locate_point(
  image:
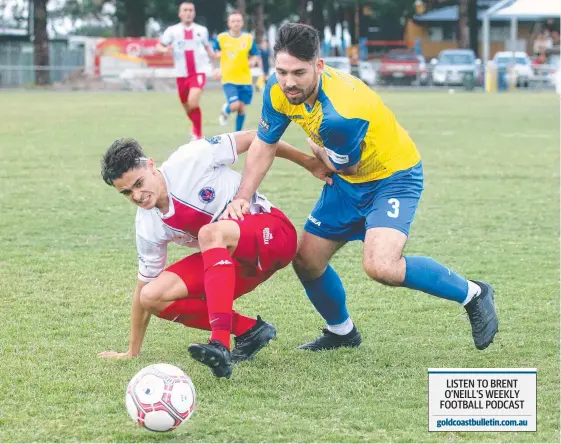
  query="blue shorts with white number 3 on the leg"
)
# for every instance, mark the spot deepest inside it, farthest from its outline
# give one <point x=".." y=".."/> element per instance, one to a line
<point x="345" y="210"/>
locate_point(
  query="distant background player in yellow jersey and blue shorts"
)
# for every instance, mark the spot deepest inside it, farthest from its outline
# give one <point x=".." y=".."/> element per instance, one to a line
<point x="238" y="52"/>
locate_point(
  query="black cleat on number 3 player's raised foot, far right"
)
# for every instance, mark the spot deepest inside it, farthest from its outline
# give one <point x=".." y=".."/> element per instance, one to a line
<point x="483" y="316"/>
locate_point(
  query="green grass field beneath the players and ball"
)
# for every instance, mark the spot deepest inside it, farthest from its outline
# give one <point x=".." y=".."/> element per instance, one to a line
<point x="490" y="210"/>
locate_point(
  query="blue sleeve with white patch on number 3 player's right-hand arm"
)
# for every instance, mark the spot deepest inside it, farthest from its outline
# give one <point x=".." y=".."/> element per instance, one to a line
<point x="342" y="139"/>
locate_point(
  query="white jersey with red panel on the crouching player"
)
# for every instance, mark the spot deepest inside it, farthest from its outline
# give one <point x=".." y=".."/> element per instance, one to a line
<point x="200" y="185"/>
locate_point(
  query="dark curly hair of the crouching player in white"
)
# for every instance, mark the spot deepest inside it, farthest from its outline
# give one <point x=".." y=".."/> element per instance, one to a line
<point x="121" y="156"/>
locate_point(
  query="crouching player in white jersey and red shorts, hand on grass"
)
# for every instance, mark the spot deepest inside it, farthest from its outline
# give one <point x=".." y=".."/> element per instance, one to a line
<point x="180" y="202"/>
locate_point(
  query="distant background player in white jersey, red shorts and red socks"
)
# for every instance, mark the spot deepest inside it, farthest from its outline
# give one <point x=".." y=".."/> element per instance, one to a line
<point x="192" y="56"/>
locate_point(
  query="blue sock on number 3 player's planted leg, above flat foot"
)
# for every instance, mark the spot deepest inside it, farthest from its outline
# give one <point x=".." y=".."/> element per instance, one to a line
<point x="328" y="296"/>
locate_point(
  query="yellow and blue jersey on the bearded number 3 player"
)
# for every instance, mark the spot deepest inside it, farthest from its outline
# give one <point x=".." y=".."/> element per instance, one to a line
<point x="349" y="120"/>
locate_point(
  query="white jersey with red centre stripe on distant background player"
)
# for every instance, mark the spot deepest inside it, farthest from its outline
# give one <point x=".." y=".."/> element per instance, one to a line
<point x="189" y="48"/>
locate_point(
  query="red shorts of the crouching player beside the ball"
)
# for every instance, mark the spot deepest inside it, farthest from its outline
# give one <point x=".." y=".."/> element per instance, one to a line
<point x="267" y="243"/>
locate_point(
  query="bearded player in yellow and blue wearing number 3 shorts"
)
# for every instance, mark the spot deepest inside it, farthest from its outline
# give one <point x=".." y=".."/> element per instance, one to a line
<point x="377" y="184"/>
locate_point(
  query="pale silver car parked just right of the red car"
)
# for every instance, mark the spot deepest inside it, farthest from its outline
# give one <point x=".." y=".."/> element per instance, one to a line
<point x="453" y="65"/>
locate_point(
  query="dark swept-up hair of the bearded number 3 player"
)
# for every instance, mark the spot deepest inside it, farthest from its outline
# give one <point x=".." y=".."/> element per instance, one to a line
<point x="298" y="40"/>
